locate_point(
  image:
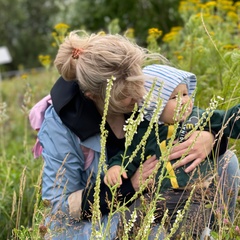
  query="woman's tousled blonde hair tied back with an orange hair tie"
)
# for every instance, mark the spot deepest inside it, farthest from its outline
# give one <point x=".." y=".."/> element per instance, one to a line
<point x="99" y="58"/>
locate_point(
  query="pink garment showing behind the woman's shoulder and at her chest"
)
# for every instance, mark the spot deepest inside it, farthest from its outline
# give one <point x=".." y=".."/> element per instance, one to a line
<point x="36" y="117"/>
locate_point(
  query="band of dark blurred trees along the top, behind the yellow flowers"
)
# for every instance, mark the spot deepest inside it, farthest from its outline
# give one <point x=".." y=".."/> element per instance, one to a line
<point x="26" y="25"/>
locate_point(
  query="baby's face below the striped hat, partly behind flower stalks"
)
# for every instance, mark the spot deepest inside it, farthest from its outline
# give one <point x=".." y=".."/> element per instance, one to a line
<point x="178" y="107"/>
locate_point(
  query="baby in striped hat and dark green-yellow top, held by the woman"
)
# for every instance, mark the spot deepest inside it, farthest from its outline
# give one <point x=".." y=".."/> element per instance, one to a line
<point x="177" y="86"/>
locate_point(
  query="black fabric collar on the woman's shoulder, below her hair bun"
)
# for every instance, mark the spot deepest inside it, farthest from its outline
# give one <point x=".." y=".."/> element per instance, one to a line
<point x="76" y="112"/>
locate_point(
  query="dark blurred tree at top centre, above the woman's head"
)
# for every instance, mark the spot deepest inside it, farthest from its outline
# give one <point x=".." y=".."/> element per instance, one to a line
<point x="137" y="14"/>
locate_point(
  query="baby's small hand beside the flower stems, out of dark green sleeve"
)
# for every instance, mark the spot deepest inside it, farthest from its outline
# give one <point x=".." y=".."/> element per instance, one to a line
<point x="113" y="176"/>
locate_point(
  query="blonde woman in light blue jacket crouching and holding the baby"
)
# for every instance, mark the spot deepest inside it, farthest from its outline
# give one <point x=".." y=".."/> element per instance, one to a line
<point x="70" y="132"/>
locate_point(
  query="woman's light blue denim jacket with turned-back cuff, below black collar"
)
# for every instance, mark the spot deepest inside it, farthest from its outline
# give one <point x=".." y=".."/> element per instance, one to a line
<point x="65" y="175"/>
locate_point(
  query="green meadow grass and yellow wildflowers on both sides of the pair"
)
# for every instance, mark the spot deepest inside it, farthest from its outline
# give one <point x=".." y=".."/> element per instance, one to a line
<point x="207" y="45"/>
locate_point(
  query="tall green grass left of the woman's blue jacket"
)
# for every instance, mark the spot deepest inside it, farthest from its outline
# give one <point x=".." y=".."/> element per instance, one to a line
<point x="20" y="205"/>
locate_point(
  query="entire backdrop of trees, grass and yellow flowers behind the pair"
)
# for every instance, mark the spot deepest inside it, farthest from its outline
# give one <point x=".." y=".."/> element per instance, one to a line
<point x="198" y="36"/>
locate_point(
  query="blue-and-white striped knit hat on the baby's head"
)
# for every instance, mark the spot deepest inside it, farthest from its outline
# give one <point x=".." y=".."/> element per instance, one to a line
<point x="167" y="79"/>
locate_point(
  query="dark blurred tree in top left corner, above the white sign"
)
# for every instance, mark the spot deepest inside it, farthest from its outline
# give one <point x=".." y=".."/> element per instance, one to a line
<point x="25" y="27"/>
